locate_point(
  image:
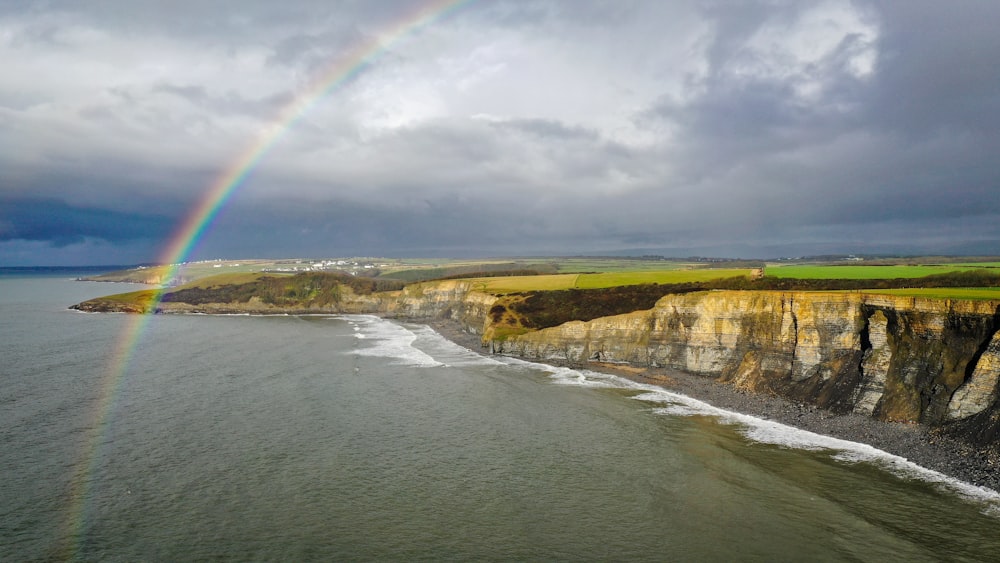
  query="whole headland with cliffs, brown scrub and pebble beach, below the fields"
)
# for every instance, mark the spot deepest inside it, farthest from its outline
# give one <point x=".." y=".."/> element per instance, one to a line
<point x="912" y="374"/>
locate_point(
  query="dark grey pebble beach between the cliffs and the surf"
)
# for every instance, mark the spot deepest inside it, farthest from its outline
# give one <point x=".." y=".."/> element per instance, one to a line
<point x="916" y="443"/>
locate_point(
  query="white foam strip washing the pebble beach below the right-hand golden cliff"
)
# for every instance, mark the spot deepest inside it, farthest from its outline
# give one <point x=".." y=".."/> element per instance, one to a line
<point x="771" y="432"/>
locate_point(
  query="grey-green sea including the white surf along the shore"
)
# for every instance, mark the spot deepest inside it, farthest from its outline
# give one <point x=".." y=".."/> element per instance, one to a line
<point x="357" y="438"/>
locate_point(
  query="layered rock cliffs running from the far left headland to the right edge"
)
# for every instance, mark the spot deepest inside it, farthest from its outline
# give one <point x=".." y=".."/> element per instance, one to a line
<point x="936" y="362"/>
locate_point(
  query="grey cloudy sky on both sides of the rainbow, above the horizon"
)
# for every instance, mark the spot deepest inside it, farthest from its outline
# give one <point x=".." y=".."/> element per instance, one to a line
<point x="754" y="129"/>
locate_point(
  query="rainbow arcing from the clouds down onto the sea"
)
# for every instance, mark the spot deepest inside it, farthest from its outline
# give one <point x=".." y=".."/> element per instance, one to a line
<point x="194" y="227"/>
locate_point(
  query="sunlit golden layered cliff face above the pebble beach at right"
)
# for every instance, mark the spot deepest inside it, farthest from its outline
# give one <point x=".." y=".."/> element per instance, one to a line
<point x="894" y="358"/>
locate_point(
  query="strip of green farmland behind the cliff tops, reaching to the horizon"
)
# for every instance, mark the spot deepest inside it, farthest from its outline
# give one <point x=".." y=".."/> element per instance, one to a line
<point x="512" y="275"/>
